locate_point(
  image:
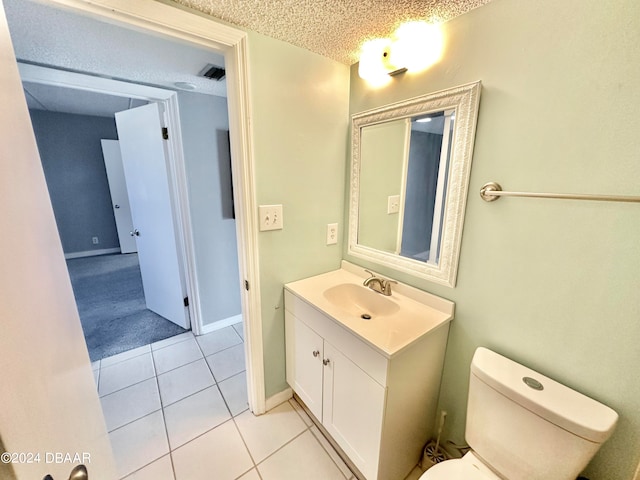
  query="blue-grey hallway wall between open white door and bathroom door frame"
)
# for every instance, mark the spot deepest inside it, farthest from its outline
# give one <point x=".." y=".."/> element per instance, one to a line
<point x="205" y="125"/>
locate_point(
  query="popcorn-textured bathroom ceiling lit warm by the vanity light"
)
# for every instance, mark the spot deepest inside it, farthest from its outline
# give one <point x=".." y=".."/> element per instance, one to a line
<point x="332" y="28"/>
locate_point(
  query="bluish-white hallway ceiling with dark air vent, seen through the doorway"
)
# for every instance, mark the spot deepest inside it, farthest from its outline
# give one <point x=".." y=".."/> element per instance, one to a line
<point x="45" y="35"/>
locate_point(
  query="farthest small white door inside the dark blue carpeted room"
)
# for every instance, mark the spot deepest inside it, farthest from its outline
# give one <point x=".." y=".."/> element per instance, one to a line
<point x="119" y="195"/>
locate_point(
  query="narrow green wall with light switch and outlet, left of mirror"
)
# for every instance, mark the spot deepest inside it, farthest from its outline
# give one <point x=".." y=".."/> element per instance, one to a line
<point x="300" y="122"/>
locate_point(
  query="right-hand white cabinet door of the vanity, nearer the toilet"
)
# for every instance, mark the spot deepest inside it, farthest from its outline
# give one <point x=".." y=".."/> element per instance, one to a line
<point x="353" y="410"/>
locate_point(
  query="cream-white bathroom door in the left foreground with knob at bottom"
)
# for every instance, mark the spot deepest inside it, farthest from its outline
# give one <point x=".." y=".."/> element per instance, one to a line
<point x="48" y="396"/>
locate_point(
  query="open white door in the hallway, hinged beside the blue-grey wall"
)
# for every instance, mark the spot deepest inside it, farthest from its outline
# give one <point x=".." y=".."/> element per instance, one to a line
<point x="144" y="158"/>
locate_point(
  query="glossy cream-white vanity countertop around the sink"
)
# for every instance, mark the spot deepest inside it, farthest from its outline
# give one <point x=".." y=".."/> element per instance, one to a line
<point x="417" y="312"/>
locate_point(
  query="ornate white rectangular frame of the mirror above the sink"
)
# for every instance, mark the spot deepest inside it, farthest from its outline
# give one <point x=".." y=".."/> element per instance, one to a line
<point x="464" y="100"/>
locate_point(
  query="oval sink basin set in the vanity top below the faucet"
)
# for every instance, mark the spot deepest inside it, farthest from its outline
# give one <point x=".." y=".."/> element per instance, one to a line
<point x="358" y="300"/>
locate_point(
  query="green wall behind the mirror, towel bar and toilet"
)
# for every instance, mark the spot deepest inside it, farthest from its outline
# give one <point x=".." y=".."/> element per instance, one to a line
<point x="552" y="284"/>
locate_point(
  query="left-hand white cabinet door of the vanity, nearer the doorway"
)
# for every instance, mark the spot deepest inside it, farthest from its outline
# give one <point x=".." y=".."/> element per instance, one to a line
<point x="304" y="363"/>
